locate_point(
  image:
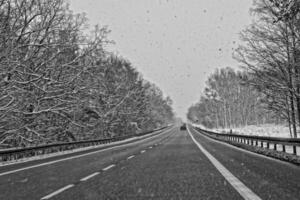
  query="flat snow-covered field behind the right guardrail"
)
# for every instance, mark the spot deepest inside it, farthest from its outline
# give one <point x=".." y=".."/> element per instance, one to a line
<point x="269" y="130"/>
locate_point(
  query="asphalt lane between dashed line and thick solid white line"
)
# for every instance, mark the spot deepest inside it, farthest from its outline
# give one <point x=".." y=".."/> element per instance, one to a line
<point x="175" y="169"/>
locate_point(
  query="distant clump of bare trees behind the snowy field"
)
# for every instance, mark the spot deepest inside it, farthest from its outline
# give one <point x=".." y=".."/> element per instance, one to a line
<point x="228" y="102"/>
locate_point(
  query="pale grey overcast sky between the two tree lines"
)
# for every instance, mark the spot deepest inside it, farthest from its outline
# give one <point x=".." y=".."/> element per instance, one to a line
<point x="174" y="43"/>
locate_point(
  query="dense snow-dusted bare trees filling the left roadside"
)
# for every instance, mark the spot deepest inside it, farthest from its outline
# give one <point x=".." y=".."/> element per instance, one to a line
<point x="59" y="84"/>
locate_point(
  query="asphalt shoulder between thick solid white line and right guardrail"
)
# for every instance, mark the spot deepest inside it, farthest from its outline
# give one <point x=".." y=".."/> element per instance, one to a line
<point x="267" y="177"/>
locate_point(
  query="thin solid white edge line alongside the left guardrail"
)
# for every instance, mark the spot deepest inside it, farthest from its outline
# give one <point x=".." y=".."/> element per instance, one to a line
<point x="81" y="155"/>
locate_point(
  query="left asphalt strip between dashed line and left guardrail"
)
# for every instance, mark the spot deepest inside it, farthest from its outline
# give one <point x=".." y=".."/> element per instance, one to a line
<point x="39" y="181"/>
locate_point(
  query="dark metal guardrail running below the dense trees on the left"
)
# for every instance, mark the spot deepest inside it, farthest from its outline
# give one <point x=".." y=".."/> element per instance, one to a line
<point x="17" y="153"/>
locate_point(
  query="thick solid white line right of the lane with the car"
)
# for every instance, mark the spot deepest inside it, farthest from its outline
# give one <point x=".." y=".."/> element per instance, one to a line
<point x="242" y="189"/>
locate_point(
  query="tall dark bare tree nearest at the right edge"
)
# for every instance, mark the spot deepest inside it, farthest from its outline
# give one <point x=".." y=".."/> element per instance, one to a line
<point x="270" y="55"/>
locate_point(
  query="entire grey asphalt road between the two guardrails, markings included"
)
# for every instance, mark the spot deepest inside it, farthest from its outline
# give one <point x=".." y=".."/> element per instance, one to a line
<point x="172" y="165"/>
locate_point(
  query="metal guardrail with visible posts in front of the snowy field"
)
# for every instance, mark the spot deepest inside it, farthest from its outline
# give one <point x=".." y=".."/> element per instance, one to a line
<point x="273" y="143"/>
